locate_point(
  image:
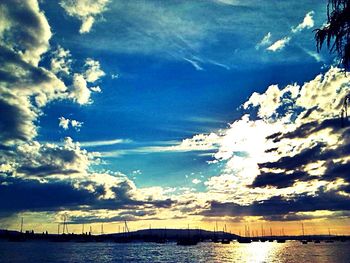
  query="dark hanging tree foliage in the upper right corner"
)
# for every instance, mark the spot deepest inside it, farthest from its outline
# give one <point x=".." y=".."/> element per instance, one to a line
<point x="336" y="33"/>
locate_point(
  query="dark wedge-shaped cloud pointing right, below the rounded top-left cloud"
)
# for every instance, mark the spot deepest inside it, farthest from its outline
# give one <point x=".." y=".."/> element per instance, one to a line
<point x="20" y="93"/>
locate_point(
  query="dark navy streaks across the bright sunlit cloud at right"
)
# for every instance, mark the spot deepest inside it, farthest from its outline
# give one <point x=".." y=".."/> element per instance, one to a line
<point x="293" y="166"/>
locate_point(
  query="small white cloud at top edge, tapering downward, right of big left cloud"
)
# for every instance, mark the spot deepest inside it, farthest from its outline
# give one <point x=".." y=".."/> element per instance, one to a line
<point x="85" y="10"/>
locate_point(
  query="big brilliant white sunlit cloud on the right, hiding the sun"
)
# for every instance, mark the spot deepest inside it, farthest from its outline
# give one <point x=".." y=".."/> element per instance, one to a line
<point x="250" y="142"/>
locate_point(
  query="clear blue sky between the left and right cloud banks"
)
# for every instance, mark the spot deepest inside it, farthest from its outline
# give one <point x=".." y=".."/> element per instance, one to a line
<point x="159" y="94"/>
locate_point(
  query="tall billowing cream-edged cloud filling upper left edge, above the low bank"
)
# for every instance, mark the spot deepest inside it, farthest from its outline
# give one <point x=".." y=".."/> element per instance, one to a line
<point x="28" y="87"/>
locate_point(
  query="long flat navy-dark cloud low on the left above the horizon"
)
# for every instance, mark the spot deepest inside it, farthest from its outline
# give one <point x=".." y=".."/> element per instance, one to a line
<point x="17" y="195"/>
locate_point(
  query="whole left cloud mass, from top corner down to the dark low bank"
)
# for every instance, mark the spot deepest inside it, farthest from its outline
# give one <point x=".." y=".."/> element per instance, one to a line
<point x="38" y="176"/>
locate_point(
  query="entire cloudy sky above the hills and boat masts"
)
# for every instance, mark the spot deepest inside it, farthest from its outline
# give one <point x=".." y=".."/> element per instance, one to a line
<point x="169" y="113"/>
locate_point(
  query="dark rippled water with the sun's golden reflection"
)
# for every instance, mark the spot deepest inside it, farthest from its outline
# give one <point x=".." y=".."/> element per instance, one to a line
<point x="291" y="251"/>
